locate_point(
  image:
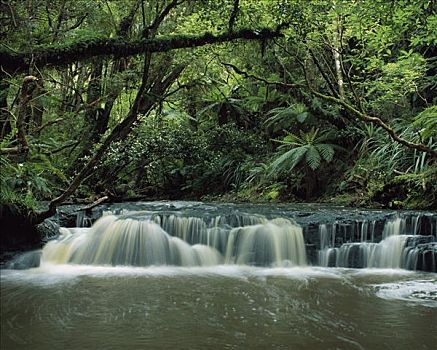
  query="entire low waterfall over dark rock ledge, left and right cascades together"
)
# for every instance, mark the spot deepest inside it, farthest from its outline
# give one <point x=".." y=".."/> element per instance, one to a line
<point x="167" y="235"/>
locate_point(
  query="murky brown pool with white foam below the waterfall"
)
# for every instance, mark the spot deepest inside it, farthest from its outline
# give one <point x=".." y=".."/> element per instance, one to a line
<point x="220" y="307"/>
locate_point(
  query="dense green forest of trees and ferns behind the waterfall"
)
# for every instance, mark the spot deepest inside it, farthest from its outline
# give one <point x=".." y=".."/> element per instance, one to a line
<point x="281" y="120"/>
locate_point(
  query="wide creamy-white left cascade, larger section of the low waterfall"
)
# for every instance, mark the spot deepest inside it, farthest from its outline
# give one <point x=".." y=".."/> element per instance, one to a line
<point x="179" y="241"/>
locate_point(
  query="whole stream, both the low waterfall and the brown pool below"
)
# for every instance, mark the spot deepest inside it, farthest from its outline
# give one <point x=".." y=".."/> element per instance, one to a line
<point x="160" y="277"/>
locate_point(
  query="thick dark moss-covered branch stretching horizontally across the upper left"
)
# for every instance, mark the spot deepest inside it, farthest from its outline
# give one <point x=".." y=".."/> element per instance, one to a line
<point x="118" y="47"/>
